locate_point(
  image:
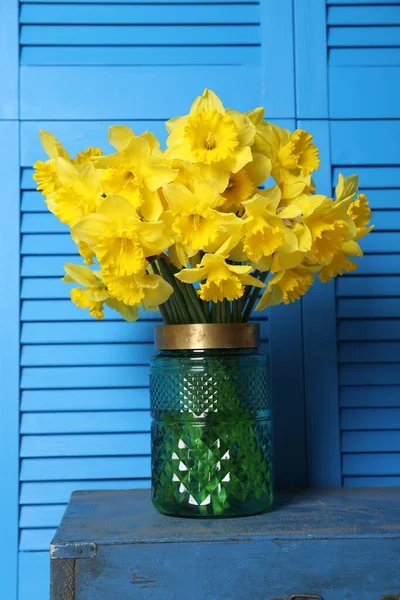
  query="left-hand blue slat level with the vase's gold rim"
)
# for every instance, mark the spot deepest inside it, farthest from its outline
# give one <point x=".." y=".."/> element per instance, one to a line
<point x="59" y="333"/>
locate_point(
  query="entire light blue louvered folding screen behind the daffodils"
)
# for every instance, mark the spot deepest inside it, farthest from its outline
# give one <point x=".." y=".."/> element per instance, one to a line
<point x="74" y="398"/>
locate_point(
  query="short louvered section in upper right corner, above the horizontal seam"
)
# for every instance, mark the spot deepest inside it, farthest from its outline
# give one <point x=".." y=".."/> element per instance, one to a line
<point x="364" y="46"/>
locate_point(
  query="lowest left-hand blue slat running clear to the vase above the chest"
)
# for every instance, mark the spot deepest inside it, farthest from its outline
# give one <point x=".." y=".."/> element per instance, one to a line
<point x="61" y="469"/>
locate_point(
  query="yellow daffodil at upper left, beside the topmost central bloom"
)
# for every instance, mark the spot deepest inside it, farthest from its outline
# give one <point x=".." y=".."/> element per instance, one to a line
<point x="133" y="174"/>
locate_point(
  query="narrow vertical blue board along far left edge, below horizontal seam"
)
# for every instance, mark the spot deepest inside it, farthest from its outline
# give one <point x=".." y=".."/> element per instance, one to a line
<point x="9" y="353"/>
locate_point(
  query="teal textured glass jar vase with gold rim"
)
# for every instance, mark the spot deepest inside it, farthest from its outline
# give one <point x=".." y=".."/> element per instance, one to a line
<point x="211" y="422"/>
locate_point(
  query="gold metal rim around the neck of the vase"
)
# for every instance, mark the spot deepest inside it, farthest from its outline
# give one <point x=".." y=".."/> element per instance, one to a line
<point x="207" y="336"/>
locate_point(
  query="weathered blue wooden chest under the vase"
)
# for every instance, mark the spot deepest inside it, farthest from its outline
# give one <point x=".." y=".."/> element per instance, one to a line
<point x="313" y="542"/>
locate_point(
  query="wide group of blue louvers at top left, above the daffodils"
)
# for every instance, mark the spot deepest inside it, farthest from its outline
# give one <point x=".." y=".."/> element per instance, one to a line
<point x="105" y="33"/>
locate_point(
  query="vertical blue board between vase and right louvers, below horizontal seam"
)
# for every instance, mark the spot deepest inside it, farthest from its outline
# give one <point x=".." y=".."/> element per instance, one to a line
<point x="320" y="352"/>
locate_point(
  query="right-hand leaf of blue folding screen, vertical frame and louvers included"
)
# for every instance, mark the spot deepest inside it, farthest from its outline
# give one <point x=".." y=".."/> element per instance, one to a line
<point x="347" y="88"/>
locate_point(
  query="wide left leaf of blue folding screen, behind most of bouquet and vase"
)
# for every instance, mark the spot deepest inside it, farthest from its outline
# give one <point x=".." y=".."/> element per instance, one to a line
<point x="74" y="398"/>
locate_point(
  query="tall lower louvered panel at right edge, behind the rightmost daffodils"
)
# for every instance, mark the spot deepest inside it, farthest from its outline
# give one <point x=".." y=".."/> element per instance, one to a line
<point x="368" y="301"/>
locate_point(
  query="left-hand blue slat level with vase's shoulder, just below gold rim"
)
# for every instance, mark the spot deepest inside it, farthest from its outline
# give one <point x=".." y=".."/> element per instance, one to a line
<point x="77" y="354"/>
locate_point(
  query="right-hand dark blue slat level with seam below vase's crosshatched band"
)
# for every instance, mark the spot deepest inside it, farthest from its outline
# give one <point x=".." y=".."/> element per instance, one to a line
<point x="364" y="419"/>
